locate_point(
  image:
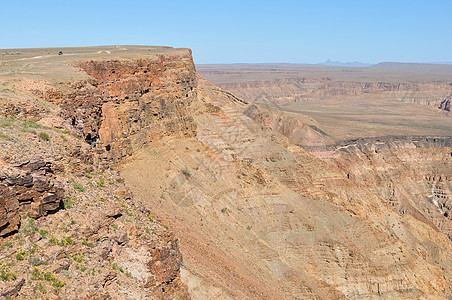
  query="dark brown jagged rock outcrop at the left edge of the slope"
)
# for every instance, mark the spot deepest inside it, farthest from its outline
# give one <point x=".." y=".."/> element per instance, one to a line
<point x="28" y="189"/>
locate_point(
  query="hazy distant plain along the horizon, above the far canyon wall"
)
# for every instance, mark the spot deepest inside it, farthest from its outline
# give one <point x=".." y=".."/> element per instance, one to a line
<point x="382" y="72"/>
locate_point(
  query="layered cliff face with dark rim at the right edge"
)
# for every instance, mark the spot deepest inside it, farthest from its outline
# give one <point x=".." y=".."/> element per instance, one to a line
<point x="411" y="173"/>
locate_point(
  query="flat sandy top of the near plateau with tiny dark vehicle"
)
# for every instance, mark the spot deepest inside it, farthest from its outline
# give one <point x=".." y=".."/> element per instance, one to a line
<point x="47" y="64"/>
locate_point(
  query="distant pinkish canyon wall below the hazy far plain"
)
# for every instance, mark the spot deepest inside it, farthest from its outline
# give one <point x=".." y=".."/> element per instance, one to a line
<point x="281" y="91"/>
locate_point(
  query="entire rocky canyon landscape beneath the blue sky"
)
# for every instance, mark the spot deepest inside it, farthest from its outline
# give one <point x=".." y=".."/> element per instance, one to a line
<point x="125" y="174"/>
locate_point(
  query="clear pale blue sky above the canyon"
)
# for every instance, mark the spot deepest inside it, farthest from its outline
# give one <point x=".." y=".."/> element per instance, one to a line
<point x="241" y="31"/>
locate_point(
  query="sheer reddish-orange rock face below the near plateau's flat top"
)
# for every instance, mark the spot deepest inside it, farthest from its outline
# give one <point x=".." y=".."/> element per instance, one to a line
<point x="130" y="103"/>
